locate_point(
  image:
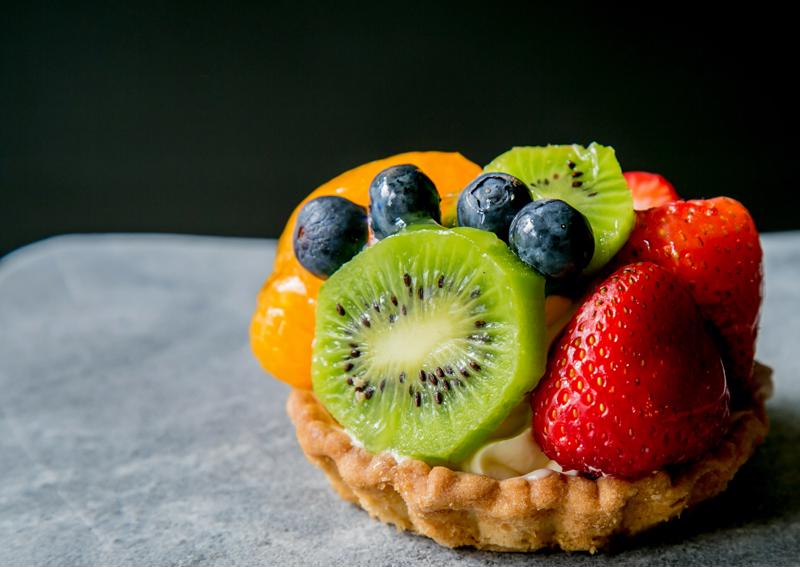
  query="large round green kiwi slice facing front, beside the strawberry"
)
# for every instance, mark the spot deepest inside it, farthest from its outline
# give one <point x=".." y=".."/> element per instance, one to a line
<point x="426" y="341"/>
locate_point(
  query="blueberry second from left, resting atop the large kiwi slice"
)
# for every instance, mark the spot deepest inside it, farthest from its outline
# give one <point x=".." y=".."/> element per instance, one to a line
<point x="399" y="196"/>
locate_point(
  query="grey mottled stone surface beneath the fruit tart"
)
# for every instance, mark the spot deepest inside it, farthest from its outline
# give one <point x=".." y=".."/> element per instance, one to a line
<point x="136" y="428"/>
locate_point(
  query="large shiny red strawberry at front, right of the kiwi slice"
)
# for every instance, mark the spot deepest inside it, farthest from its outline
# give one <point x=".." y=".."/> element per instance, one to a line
<point x="635" y="382"/>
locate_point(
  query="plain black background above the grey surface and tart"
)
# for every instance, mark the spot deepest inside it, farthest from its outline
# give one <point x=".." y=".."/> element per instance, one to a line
<point x="217" y="119"/>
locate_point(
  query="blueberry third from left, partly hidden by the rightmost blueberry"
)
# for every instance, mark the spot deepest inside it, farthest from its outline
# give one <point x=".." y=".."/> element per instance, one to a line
<point x="491" y="201"/>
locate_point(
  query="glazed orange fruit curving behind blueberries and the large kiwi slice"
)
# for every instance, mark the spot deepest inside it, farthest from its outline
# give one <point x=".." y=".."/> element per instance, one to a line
<point x="282" y="327"/>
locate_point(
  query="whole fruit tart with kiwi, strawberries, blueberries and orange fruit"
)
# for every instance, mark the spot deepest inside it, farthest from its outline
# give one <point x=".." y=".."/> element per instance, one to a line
<point x="546" y="352"/>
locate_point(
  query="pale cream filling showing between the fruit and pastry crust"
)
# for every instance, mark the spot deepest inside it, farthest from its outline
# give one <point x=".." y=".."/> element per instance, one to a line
<point x="511" y="450"/>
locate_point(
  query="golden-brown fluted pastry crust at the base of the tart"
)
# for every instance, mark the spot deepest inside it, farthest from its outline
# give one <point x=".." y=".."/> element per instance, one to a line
<point x="571" y="512"/>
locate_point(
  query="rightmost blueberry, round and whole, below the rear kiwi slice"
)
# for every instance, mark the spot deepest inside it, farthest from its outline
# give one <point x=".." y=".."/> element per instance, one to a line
<point x="553" y="238"/>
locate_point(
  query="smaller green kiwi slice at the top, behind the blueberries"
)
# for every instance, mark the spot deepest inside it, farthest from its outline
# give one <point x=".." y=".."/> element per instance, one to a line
<point x="590" y="179"/>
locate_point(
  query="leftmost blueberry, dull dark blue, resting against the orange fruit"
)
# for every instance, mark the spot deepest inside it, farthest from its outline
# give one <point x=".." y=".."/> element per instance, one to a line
<point x="329" y="231"/>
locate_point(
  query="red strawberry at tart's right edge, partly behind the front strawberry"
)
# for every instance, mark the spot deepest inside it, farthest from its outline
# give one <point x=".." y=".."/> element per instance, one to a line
<point x="713" y="246"/>
